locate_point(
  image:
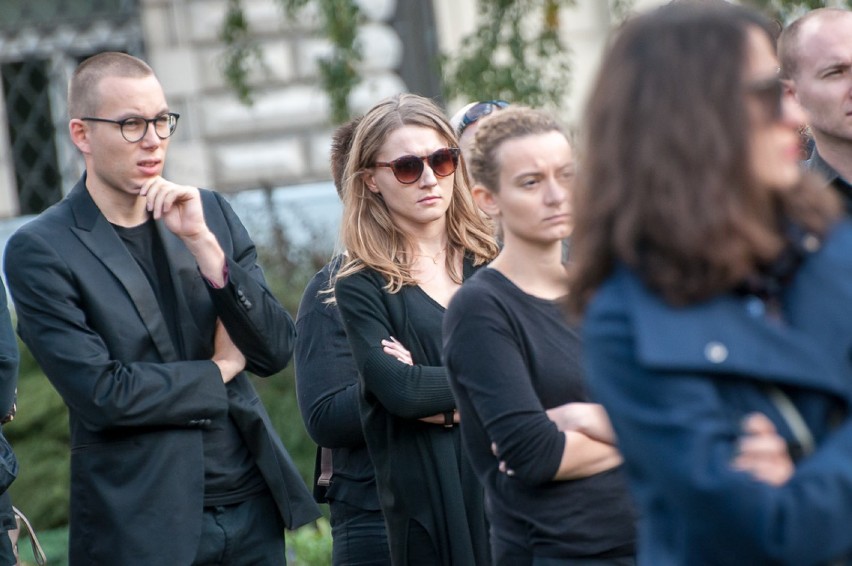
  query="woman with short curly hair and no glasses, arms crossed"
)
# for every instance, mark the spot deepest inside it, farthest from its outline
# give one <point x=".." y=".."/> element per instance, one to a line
<point x="545" y="455"/>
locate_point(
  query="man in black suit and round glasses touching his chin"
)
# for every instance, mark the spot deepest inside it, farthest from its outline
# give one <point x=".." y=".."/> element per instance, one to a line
<point x="143" y="303"/>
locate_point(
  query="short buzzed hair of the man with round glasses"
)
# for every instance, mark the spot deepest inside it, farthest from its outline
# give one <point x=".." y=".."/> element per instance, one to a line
<point x="83" y="90"/>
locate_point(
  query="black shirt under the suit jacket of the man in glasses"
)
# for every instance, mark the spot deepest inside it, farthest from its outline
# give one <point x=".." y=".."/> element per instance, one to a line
<point x="230" y="475"/>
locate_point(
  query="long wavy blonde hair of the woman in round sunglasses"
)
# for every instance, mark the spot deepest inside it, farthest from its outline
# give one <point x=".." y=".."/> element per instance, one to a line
<point x="368" y="232"/>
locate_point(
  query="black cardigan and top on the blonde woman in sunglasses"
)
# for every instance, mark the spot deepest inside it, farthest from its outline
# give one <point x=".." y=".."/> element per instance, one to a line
<point x="426" y="485"/>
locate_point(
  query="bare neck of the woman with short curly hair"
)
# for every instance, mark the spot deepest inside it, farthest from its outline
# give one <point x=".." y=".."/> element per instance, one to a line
<point x="535" y="269"/>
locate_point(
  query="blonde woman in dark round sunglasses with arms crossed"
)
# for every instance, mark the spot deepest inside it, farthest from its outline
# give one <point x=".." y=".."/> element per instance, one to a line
<point x="413" y="235"/>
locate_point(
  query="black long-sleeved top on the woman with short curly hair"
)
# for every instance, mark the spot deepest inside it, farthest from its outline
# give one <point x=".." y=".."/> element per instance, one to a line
<point x="511" y="356"/>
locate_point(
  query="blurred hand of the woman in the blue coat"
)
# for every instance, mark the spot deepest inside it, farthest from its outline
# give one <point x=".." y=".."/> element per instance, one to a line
<point x="762" y="452"/>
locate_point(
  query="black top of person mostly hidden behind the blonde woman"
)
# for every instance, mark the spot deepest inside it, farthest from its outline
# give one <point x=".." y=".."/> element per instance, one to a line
<point x="328" y="390"/>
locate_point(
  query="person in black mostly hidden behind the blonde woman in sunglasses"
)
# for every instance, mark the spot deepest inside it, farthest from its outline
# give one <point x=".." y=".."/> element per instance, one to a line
<point x="328" y="390"/>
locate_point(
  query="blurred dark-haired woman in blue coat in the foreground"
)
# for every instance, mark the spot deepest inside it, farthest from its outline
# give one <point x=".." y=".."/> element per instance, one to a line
<point x="716" y="282"/>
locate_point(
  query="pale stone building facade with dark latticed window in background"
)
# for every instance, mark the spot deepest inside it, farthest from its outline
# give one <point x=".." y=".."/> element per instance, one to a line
<point x="281" y="139"/>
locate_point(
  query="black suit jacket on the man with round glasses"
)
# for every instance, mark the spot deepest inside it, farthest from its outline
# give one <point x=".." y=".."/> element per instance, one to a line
<point x="137" y="406"/>
